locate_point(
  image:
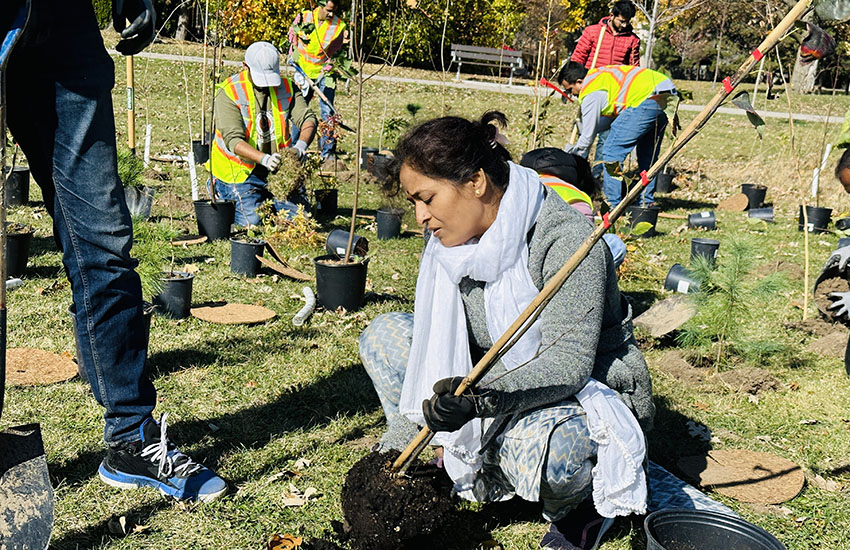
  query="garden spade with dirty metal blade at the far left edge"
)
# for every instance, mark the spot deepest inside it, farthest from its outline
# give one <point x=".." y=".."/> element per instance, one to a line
<point x="26" y="497"/>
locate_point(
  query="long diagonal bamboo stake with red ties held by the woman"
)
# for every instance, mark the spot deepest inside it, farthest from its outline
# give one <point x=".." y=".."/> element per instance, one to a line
<point x="527" y="317"/>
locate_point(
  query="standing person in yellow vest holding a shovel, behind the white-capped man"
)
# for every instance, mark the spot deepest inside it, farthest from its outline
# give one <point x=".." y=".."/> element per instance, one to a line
<point x="315" y="37"/>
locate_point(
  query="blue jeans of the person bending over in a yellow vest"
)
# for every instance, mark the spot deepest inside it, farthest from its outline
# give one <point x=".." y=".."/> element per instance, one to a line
<point x="640" y="127"/>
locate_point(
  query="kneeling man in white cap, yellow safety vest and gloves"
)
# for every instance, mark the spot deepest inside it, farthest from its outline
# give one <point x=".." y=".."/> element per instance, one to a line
<point x="258" y="115"/>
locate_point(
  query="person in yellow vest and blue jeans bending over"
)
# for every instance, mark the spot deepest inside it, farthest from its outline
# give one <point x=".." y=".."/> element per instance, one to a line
<point x="631" y="102"/>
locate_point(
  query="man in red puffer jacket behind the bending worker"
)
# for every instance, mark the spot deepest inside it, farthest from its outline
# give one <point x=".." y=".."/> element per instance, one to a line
<point x="619" y="46"/>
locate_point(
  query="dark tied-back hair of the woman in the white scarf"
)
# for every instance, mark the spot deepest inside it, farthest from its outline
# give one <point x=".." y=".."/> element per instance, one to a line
<point x="454" y="149"/>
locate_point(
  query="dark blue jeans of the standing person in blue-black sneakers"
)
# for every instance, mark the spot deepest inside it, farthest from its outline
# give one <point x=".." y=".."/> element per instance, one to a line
<point x="64" y="125"/>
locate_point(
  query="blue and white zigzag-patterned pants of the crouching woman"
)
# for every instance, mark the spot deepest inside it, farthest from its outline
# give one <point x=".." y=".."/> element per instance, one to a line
<point x="543" y="455"/>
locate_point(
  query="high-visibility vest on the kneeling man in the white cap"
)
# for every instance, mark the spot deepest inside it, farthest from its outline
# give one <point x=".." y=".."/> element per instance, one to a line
<point x="224" y="164"/>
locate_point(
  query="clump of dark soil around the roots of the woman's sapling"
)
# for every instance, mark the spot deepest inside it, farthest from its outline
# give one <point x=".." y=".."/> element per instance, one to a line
<point x="389" y="512"/>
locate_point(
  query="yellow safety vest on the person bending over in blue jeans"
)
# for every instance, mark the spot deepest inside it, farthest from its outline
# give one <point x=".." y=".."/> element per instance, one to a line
<point x="627" y="86"/>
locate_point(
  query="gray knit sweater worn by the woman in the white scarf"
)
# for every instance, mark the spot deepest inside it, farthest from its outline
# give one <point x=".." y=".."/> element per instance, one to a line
<point x="586" y="329"/>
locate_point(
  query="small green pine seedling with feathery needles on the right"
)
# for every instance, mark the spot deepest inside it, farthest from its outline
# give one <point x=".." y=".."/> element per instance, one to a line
<point x="729" y="305"/>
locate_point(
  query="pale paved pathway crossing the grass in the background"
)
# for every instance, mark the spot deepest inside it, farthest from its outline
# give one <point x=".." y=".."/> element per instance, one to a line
<point x="505" y="89"/>
